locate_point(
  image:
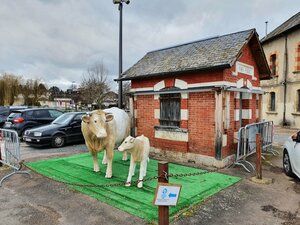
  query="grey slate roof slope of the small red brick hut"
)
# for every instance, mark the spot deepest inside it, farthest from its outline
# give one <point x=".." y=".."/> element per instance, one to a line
<point x="215" y="52"/>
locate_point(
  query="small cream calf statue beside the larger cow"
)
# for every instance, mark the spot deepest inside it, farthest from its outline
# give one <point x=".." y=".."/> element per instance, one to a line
<point x="139" y="148"/>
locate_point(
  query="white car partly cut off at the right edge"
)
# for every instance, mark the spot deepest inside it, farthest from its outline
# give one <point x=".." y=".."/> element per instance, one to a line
<point x="291" y="156"/>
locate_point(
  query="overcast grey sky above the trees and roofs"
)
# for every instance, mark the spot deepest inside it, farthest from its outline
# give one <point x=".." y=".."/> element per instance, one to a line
<point x="57" y="40"/>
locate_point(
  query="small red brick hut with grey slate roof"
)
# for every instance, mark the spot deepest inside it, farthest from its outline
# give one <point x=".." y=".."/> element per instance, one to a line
<point x="191" y="99"/>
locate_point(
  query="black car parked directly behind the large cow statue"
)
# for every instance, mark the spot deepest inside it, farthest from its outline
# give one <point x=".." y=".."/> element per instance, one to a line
<point x="65" y="129"/>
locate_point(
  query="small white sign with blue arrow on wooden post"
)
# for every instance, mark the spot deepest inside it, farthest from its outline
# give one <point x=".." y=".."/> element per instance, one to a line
<point x="167" y="194"/>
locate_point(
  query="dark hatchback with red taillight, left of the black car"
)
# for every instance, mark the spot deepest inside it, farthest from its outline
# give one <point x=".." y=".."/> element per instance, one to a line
<point x="22" y="120"/>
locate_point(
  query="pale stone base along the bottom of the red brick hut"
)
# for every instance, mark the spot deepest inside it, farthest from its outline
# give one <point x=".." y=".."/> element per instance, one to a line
<point x="196" y="158"/>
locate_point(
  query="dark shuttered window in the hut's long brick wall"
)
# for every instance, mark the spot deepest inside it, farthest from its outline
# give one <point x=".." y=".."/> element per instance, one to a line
<point x="170" y="109"/>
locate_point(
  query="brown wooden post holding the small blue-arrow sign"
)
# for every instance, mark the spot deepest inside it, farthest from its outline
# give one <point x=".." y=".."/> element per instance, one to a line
<point x="163" y="211"/>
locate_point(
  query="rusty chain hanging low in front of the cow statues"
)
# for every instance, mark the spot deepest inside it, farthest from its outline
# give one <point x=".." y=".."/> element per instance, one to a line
<point x="165" y="175"/>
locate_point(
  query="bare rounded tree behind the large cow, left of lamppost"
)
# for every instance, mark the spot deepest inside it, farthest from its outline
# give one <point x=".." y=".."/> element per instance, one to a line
<point x="94" y="84"/>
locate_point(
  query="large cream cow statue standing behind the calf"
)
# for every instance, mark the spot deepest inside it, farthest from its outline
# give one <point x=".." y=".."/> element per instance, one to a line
<point x="102" y="130"/>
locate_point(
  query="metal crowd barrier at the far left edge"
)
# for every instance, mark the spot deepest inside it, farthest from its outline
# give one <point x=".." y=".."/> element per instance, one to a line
<point x="10" y="152"/>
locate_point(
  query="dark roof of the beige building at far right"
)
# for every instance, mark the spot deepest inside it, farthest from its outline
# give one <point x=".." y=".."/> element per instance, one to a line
<point x="291" y="23"/>
